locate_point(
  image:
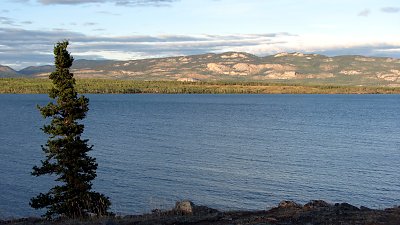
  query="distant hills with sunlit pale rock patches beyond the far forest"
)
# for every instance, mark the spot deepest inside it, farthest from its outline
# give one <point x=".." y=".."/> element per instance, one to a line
<point x="282" y="67"/>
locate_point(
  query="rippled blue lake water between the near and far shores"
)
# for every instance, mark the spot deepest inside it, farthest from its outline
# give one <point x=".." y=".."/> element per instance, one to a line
<point x="224" y="151"/>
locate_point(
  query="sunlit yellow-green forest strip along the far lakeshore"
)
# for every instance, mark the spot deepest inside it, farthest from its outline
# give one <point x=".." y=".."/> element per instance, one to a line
<point x="108" y="86"/>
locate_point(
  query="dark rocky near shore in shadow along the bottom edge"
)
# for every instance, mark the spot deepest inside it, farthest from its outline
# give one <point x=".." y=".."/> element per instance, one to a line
<point x="316" y="212"/>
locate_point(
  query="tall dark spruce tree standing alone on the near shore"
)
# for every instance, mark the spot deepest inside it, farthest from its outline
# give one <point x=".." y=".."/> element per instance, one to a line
<point x="66" y="153"/>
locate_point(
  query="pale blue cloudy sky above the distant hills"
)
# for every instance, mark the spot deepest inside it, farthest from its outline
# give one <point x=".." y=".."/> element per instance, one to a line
<point x="136" y="29"/>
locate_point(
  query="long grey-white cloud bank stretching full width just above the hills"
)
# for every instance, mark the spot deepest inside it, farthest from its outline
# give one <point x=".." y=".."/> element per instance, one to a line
<point x="20" y="48"/>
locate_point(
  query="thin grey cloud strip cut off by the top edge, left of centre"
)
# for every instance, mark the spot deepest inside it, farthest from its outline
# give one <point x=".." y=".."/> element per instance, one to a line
<point x="116" y="2"/>
